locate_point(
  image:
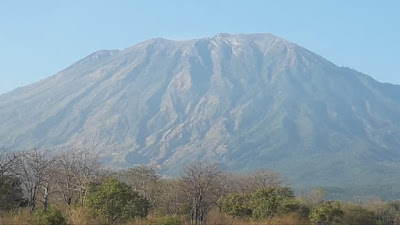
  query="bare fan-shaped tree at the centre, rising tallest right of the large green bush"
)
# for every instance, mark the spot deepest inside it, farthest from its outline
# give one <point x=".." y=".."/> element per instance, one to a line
<point x="201" y="186"/>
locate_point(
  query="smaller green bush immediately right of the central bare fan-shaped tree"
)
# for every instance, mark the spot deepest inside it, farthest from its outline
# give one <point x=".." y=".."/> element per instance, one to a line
<point x="236" y="204"/>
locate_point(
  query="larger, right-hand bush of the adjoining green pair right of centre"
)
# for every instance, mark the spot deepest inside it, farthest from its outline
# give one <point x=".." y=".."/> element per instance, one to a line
<point x="268" y="202"/>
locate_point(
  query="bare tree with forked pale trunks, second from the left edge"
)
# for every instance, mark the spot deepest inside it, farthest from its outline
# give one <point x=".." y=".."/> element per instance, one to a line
<point x="33" y="169"/>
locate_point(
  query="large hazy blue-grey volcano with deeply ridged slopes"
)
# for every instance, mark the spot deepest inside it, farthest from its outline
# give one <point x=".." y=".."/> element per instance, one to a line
<point x="247" y="101"/>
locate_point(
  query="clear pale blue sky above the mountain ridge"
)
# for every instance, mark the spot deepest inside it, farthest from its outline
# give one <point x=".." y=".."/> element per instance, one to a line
<point x="39" y="38"/>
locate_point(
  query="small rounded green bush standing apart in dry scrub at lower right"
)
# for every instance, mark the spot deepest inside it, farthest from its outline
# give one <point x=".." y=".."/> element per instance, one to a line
<point x="327" y="213"/>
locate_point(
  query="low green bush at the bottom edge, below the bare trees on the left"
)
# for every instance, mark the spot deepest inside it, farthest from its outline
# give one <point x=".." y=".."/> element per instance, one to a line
<point x="51" y="216"/>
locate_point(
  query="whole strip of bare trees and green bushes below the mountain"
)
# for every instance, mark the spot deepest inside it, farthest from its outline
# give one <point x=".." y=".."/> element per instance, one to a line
<point x="72" y="187"/>
